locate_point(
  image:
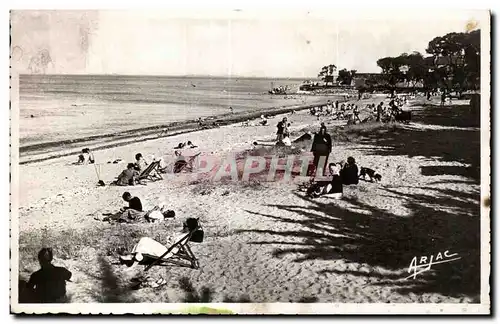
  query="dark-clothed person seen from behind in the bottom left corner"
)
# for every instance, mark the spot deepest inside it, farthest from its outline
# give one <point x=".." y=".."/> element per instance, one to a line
<point x="48" y="285"/>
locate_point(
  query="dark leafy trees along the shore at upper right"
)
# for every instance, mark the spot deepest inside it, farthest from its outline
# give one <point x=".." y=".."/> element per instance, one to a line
<point x="453" y="64"/>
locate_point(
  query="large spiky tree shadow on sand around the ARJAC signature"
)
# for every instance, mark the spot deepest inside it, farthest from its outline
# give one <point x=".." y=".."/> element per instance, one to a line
<point x="366" y="234"/>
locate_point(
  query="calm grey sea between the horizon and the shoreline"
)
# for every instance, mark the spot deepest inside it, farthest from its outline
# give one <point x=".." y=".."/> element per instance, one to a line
<point x="61" y="107"/>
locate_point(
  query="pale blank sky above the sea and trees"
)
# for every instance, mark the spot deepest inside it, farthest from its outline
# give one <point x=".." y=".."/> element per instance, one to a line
<point x="243" y="43"/>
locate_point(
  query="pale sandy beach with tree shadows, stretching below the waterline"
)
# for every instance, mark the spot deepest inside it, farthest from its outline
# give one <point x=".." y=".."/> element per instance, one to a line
<point x="266" y="241"/>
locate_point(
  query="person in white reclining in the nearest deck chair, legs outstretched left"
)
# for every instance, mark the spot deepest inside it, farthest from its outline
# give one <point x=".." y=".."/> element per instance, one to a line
<point x="147" y="248"/>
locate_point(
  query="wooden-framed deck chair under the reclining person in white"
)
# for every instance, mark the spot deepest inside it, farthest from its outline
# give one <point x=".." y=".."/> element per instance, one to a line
<point x="179" y="253"/>
